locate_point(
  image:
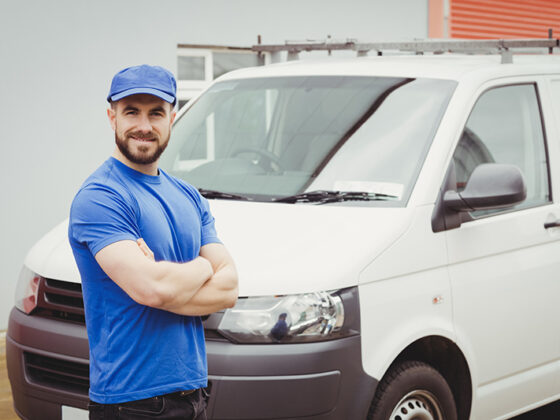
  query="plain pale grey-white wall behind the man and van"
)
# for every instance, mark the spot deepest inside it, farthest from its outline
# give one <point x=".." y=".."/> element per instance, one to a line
<point x="57" y="59"/>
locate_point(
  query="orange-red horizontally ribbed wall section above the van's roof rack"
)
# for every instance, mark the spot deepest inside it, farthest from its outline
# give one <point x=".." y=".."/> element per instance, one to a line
<point x="496" y="19"/>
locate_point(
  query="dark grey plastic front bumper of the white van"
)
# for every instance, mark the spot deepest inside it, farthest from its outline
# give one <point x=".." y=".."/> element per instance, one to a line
<point x="47" y="359"/>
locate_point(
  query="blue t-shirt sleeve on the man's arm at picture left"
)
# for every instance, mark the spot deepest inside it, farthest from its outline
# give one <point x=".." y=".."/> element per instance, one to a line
<point x="99" y="216"/>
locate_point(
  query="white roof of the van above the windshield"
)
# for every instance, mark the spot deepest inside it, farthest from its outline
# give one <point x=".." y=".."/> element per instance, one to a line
<point x="445" y="66"/>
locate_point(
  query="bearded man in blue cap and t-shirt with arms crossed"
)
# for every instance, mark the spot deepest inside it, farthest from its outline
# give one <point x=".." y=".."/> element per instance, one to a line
<point x="150" y="262"/>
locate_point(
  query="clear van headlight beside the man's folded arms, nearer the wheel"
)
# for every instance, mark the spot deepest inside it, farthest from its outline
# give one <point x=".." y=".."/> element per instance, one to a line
<point x="285" y="319"/>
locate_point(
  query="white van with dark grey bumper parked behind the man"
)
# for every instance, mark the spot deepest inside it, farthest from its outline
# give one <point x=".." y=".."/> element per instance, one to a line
<point x="395" y="223"/>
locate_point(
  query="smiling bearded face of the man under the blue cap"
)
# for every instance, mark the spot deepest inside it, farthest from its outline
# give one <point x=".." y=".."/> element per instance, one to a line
<point x="142" y="125"/>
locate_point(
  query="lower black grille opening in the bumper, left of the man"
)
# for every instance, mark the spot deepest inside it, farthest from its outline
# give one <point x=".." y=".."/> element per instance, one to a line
<point x="57" y="373"/>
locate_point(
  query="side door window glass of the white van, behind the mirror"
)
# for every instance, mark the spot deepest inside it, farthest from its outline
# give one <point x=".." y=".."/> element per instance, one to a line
<point x="505" y="126"/>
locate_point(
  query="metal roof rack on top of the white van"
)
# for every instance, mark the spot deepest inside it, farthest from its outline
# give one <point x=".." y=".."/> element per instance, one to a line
<point x="486" y="46"/>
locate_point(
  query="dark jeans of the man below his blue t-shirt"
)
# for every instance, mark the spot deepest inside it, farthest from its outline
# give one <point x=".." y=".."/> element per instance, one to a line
<point x="170" y="406"/>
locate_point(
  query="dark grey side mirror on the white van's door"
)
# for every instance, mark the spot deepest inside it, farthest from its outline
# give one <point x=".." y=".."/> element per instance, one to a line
<point x="490" y="186"/>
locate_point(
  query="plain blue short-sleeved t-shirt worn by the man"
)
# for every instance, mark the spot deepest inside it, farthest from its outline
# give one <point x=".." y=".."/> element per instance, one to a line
<point x="136" y="351"/>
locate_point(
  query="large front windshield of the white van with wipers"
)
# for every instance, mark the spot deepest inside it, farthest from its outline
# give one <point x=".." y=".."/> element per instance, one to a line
<point x="274" y="139"/>
